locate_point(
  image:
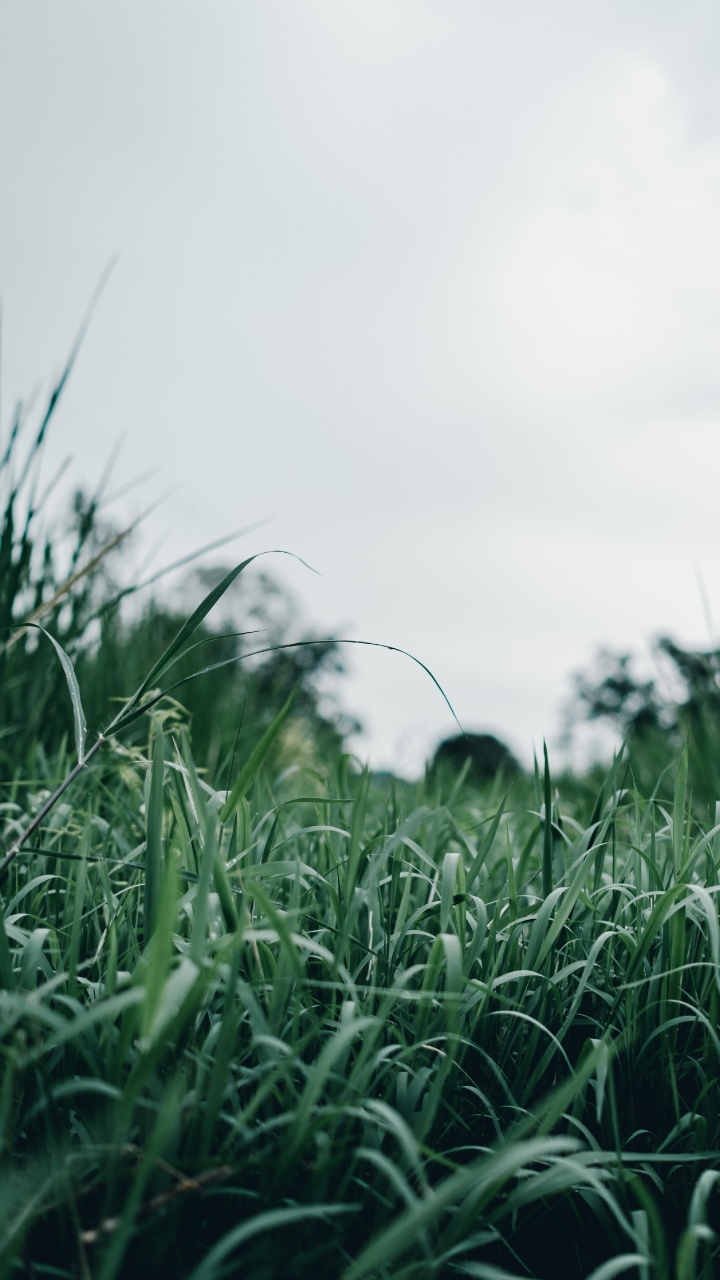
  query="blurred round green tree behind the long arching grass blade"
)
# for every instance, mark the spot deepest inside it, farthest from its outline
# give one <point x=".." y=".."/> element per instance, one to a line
<point x="256" y="655"/>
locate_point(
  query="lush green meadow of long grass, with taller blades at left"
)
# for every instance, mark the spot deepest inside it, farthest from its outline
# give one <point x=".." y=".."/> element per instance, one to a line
<point x="265" y="1014"/>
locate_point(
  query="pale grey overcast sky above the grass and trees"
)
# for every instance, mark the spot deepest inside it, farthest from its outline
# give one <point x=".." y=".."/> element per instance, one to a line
<point x="434" y="285"/>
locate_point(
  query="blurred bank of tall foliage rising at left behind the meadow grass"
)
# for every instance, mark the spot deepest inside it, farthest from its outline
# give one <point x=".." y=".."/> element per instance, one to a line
<point x="65" y="592"/>
